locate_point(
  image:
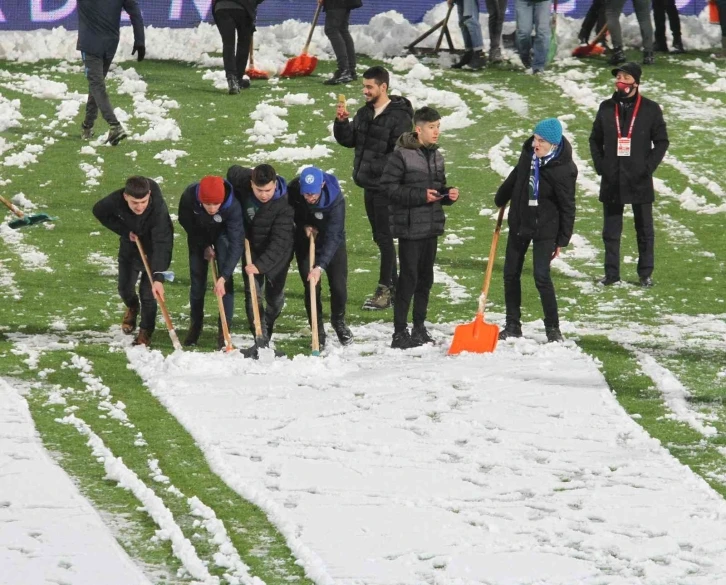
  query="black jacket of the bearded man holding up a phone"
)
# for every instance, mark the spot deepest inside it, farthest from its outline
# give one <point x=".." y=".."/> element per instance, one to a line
<point x="374" y="138"/>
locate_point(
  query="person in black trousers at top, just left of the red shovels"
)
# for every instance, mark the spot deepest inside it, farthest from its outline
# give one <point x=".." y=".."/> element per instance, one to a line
<point x="235" y="19"/>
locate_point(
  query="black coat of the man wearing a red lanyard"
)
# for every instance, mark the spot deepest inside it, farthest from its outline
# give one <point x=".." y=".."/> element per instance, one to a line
<point x="628" y="179"/>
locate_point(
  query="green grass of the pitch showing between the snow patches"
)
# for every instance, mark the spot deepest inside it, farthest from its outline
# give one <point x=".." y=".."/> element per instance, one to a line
<point x="213" y="125"/>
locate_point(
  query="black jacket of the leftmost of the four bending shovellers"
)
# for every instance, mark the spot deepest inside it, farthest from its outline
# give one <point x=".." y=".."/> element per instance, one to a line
<point x="153" y="227"/>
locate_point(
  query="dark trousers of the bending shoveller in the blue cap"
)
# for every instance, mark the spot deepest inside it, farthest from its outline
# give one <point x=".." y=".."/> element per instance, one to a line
<point x="337" y="273"/>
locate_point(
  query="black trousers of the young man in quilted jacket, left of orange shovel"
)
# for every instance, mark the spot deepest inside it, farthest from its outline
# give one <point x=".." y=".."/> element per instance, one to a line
<point x="415" y="280"/>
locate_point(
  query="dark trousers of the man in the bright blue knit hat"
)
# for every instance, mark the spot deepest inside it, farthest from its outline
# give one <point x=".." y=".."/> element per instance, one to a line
<point x="513" y="262"/>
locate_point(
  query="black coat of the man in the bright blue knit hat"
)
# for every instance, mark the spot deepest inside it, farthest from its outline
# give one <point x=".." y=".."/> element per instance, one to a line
<point x="554" y="216"/>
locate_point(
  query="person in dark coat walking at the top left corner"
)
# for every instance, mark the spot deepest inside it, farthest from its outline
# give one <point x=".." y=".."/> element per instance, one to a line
<point x="99" y="26"/>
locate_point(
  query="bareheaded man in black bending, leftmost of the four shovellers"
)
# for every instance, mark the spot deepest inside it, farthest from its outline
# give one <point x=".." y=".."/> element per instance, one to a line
<point x="138" y="211"/>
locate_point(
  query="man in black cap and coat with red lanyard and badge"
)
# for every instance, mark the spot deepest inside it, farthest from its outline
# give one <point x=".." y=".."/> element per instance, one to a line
<point x="628" y="141"/>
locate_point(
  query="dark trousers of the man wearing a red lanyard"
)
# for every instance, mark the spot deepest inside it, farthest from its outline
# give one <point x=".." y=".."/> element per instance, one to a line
<point x="645" y="234"/>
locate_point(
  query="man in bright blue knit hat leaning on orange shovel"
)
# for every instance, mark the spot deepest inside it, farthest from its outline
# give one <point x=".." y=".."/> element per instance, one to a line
<point x="541" y="189"/>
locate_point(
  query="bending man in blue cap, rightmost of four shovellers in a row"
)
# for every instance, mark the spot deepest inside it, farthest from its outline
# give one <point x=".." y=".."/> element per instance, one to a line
<point x="319" y="207"/>
